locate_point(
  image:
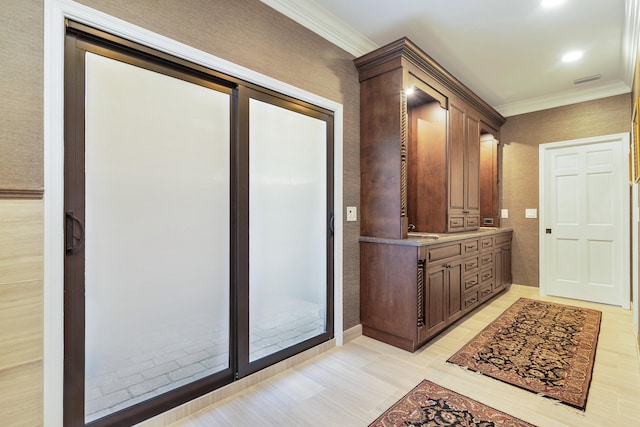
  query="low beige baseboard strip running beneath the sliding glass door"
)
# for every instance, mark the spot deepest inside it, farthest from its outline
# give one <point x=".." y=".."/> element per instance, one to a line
<point x="202" y="402"/>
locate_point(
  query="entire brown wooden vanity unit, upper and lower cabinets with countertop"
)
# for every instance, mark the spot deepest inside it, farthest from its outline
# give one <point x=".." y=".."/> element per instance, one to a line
<point x="431" y="249"/>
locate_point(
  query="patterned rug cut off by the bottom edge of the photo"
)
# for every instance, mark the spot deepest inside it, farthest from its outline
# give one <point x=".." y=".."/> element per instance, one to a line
<point x="429" y="405"/>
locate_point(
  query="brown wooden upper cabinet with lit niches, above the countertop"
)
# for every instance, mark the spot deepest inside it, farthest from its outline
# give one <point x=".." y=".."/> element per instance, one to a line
<point x="423" y="165"/>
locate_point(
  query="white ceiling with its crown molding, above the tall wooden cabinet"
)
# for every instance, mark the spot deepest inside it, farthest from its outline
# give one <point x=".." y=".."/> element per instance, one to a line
<point x="507" y="51"/>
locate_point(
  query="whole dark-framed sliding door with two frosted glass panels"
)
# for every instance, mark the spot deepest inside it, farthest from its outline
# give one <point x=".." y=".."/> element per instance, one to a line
<point x="199" y="245"/>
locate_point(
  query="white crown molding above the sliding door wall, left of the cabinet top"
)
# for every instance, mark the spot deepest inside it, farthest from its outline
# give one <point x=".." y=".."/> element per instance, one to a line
<point x="327" y="25"/>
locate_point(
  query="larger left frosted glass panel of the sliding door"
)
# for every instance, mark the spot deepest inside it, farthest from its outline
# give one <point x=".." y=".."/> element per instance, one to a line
<point x="157" y="234"/>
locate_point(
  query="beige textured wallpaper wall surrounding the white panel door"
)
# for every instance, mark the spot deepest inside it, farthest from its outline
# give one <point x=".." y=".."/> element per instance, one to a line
<point x="520" y="138"/>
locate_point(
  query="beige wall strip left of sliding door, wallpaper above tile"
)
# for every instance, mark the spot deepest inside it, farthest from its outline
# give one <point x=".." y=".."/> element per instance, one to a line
<point x="21" y="229"/>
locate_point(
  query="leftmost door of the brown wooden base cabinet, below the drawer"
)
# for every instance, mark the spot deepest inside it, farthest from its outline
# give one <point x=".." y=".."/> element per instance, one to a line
<point x="435" y="299"/>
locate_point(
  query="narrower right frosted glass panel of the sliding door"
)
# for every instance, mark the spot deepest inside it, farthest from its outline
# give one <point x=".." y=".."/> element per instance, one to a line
<point x="287" y="228"/>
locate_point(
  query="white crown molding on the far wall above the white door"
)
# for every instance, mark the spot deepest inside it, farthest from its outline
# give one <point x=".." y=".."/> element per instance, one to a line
<point x="560" y="99"/>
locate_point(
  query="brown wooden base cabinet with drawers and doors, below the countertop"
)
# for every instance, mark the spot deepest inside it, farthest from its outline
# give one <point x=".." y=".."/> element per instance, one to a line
<point x="411" y="290"/>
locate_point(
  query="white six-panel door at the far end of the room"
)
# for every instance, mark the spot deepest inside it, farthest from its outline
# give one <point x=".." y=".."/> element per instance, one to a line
<point x="584" y="218"/>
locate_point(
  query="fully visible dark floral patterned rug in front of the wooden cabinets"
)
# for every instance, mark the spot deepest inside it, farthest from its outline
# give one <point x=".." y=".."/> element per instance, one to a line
<point x="539" y="346"/>
